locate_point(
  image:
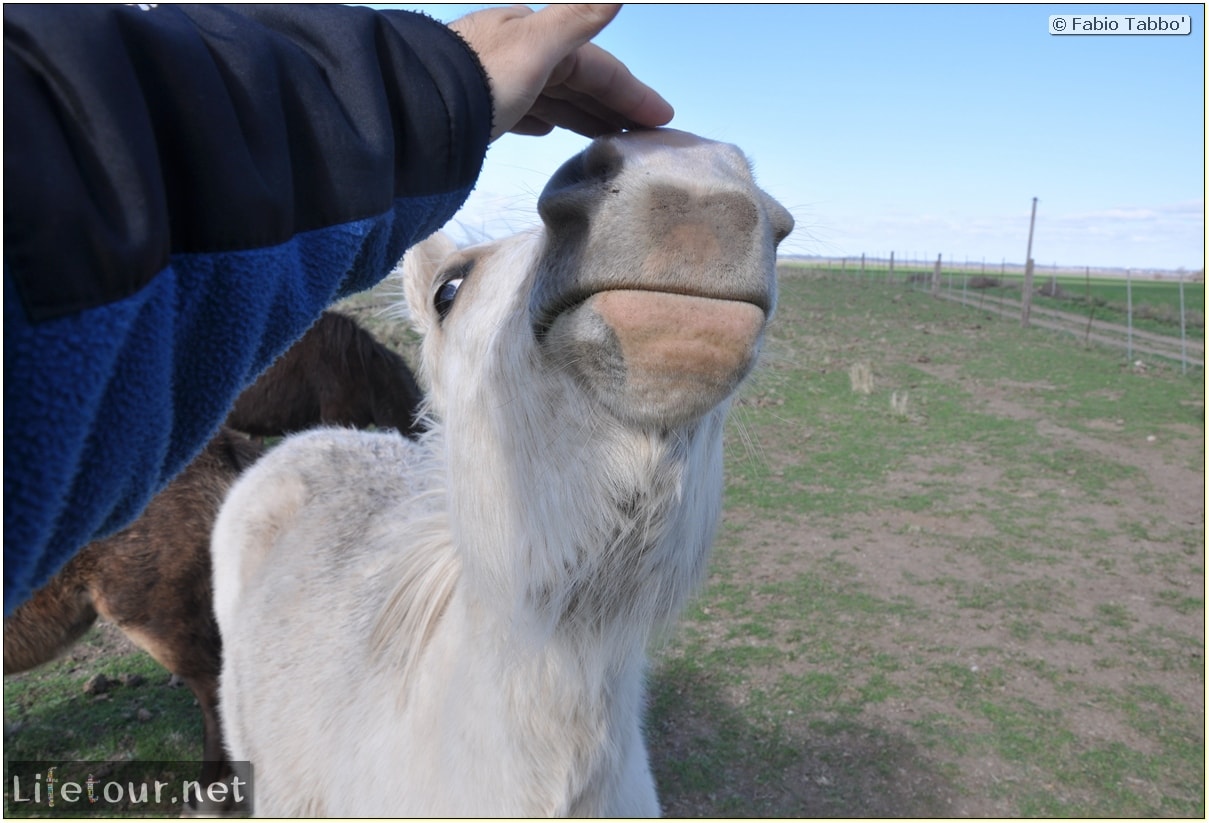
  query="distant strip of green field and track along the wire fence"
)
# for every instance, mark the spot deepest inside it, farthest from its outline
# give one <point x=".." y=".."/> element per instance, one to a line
<point x="1144" y="312"/>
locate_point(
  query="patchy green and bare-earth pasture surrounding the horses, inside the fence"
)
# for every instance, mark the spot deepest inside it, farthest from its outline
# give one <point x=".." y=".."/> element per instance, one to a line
<point x="961" y="573"/>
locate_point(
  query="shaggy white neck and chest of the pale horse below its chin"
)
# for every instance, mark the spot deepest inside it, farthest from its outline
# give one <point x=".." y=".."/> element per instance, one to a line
<point x="549" y="561"/>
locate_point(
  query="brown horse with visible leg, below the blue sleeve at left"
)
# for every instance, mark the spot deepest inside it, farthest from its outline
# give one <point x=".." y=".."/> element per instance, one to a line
<point x="152" y="581"/>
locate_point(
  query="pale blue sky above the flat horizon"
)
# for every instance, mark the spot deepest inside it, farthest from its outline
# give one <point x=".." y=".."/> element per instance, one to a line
<point x="921" y="130"/>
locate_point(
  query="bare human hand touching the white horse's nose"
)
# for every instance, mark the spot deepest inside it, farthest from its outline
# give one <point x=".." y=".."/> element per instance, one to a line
<point x="545" y="72"/>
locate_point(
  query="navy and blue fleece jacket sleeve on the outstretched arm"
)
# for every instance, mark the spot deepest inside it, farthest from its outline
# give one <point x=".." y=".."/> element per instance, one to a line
<point x="186" y="190"/>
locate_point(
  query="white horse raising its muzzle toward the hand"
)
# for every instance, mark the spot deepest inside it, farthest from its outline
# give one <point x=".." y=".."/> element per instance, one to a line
<point x="459" y="627"/>
